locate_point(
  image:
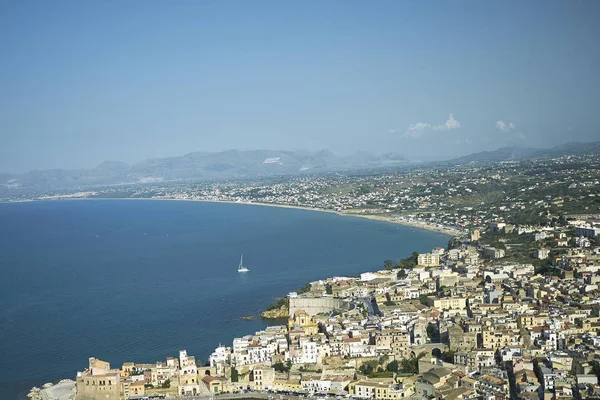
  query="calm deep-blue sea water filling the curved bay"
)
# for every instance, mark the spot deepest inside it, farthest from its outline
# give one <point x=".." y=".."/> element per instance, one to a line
<point x="138" y="280"/>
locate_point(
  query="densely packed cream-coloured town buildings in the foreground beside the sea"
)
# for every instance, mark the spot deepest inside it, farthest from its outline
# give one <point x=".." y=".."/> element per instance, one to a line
<point x="462" y="322"/>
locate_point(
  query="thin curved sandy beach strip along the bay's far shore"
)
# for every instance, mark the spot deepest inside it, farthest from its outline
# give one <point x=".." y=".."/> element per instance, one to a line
<point x="374" y="217"/>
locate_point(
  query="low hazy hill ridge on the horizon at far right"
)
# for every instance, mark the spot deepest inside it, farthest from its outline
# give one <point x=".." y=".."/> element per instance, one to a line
<point x="519" y="153"/>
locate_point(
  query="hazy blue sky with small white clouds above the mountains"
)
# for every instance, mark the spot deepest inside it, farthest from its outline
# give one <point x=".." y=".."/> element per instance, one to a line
<point x="86" y="81"/>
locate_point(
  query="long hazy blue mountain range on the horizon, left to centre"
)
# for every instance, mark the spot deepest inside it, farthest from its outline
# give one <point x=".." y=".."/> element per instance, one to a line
<point x="197" y="165"/>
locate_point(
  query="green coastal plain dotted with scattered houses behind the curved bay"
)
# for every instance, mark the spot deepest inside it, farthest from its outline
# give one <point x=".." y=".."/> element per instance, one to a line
<point x="449" y="198"/>
